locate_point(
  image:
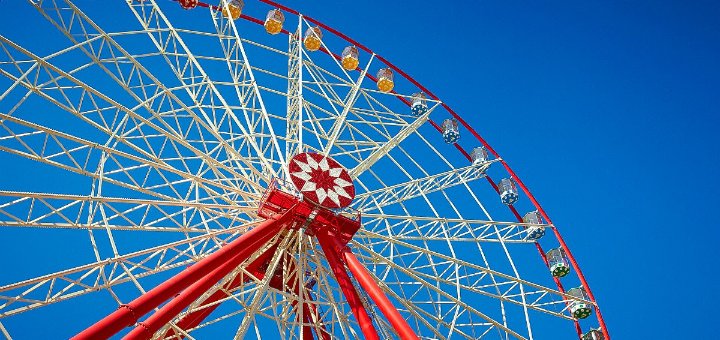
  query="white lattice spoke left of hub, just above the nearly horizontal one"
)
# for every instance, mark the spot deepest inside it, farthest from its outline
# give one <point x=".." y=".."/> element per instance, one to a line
<point x="81" y="156"/>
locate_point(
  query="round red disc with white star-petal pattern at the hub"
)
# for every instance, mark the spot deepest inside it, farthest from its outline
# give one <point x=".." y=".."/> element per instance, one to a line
<point x="322" y="180"/>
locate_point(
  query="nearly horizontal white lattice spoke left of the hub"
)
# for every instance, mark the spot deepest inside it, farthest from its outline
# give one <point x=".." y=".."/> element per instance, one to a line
<point x="43" y="210"/>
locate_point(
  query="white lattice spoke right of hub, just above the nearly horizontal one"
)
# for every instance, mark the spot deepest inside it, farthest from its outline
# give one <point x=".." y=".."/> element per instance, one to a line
<point x="394" y="194"/>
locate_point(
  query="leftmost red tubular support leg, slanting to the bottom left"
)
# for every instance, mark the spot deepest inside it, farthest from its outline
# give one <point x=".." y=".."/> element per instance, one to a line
<point x="128" y="314"/>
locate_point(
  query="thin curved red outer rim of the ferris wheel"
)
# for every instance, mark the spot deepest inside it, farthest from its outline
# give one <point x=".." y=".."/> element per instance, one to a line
<point x="467" y="126"/>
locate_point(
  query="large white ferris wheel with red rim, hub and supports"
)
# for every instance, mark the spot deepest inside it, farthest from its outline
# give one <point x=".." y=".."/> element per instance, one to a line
<point x="243" y="170"/>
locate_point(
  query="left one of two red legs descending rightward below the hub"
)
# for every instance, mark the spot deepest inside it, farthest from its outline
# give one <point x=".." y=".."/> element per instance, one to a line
<point x="351" y="295"/>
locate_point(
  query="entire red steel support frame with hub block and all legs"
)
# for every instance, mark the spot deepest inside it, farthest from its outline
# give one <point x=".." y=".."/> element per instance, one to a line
<point x="281" y="209"/>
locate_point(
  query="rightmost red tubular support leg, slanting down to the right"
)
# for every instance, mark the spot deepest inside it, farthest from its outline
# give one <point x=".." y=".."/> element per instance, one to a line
<point x="364" y="278"/>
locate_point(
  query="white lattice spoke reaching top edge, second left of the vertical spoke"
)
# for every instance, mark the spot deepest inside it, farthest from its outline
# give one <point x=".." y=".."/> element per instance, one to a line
<point x="167" y="39"/>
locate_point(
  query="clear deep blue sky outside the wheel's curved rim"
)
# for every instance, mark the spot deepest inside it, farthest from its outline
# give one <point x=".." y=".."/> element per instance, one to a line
<point x="608" y="110"/>
